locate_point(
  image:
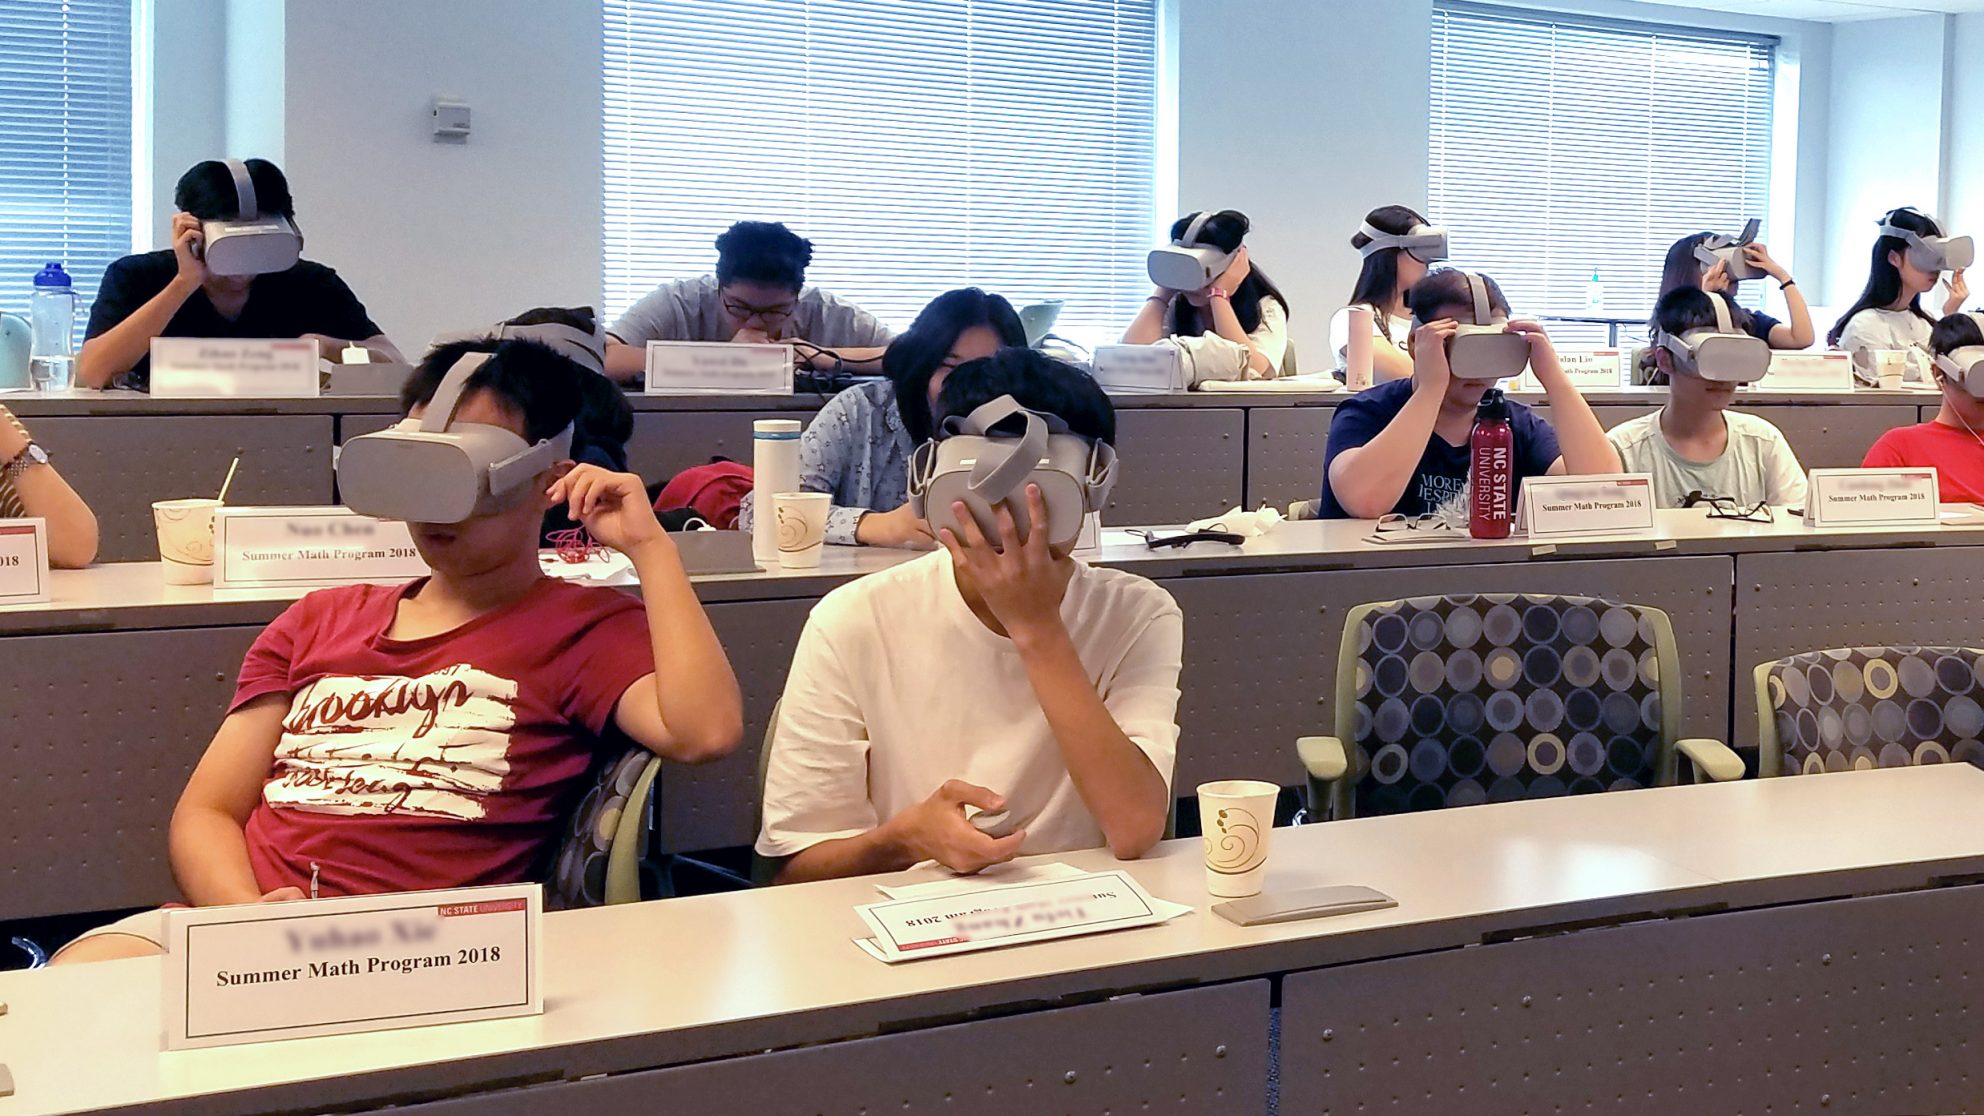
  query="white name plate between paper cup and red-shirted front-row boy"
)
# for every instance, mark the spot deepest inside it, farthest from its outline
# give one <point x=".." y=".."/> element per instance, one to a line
<point x="310" y="547"/>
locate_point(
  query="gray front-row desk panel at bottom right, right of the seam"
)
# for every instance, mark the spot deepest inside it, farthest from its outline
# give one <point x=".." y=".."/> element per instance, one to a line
<point x="1852" y="1008"/>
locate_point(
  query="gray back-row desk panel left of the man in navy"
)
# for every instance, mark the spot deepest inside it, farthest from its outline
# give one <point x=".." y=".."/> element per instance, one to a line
<point x="1179" y="466"/>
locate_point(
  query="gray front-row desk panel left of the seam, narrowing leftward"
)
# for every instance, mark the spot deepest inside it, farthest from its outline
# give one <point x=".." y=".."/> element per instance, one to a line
<point x="1187" y="1051"/>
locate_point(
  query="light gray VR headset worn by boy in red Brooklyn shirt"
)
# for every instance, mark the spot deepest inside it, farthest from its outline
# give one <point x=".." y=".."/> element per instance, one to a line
<point x="434" y="470"/>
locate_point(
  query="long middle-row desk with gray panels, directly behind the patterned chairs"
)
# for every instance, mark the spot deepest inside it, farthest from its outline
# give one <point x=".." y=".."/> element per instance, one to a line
<point x="116" y="686"/>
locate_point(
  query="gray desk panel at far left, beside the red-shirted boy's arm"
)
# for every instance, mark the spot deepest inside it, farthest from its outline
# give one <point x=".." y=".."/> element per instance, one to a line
<point x="88" y="795"/>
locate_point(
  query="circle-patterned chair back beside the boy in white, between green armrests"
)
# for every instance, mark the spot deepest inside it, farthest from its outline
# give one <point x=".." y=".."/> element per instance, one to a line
<point x="1463" y="700"/>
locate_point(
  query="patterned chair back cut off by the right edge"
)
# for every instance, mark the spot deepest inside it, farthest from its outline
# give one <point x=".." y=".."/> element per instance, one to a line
<point x="1866" y="708"/>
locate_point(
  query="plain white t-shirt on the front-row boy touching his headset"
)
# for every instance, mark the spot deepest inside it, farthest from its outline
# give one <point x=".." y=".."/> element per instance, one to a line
<point x="898" y="688"/>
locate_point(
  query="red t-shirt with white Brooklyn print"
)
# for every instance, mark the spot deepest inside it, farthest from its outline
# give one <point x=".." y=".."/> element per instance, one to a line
<point x="434" y="764"/>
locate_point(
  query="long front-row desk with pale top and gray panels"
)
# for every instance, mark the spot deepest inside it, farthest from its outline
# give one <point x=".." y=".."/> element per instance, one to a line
<point x="1541" y="954"/>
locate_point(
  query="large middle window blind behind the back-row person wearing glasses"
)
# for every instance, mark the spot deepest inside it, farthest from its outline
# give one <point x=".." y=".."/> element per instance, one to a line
<point x="920" y="144"/>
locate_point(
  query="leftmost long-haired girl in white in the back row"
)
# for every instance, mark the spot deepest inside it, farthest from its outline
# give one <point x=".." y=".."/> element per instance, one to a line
<point x="1241" y="315"/>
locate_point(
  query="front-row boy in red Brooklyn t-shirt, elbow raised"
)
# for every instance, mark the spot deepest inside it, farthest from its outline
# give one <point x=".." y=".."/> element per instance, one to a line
<point x="434" y="736"/>
